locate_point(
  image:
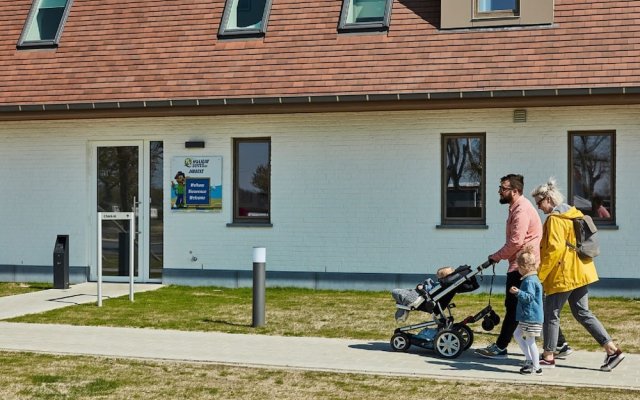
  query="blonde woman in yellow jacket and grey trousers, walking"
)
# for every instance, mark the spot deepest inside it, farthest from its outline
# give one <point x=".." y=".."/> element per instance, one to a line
<point x="566" y="277"/>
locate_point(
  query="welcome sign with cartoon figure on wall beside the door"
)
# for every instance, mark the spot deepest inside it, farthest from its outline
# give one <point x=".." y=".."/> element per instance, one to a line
<point x="196" y="183"/>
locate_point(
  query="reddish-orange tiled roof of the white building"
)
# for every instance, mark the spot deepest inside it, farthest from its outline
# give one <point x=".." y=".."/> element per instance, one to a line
<point x="115" y="51"/>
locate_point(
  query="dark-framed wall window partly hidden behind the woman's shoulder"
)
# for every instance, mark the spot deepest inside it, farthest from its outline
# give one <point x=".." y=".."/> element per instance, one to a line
<point x="592" y="174"/>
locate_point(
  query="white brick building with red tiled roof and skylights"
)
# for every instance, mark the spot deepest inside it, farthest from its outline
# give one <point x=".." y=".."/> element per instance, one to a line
<point x="359" y="141"/>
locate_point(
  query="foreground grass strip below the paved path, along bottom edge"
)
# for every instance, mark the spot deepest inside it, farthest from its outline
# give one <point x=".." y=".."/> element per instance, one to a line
<point x="48" y="377"/>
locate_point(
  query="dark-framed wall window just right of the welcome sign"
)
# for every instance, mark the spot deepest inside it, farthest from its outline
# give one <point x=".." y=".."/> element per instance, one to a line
<point x="252" y="180"/>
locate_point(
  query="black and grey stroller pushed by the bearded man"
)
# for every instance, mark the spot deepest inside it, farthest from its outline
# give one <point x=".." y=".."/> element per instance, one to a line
<point x="441" y="334"/>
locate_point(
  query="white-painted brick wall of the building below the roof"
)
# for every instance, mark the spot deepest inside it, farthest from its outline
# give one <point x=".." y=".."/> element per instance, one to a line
<point x="351" y="192"/>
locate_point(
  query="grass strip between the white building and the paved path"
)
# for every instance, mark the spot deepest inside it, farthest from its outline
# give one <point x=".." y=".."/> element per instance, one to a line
<point x="322" y="313"/>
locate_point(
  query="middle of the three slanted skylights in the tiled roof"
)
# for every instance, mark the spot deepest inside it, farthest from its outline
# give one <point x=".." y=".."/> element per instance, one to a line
<point x="245" y="18"/>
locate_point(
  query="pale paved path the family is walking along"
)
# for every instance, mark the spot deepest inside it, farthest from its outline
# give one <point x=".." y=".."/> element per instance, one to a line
<point x="307" y="353"/>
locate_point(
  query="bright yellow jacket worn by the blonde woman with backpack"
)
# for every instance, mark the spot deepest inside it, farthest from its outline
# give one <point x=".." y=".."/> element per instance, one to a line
<point x="561" y="269"/>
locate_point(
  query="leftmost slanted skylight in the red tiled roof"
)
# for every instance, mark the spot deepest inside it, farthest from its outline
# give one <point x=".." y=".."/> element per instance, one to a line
<point x="44" y="23"/>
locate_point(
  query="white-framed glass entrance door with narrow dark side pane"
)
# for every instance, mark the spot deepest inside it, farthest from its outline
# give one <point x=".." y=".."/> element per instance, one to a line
<point x="128" y="177"/>
